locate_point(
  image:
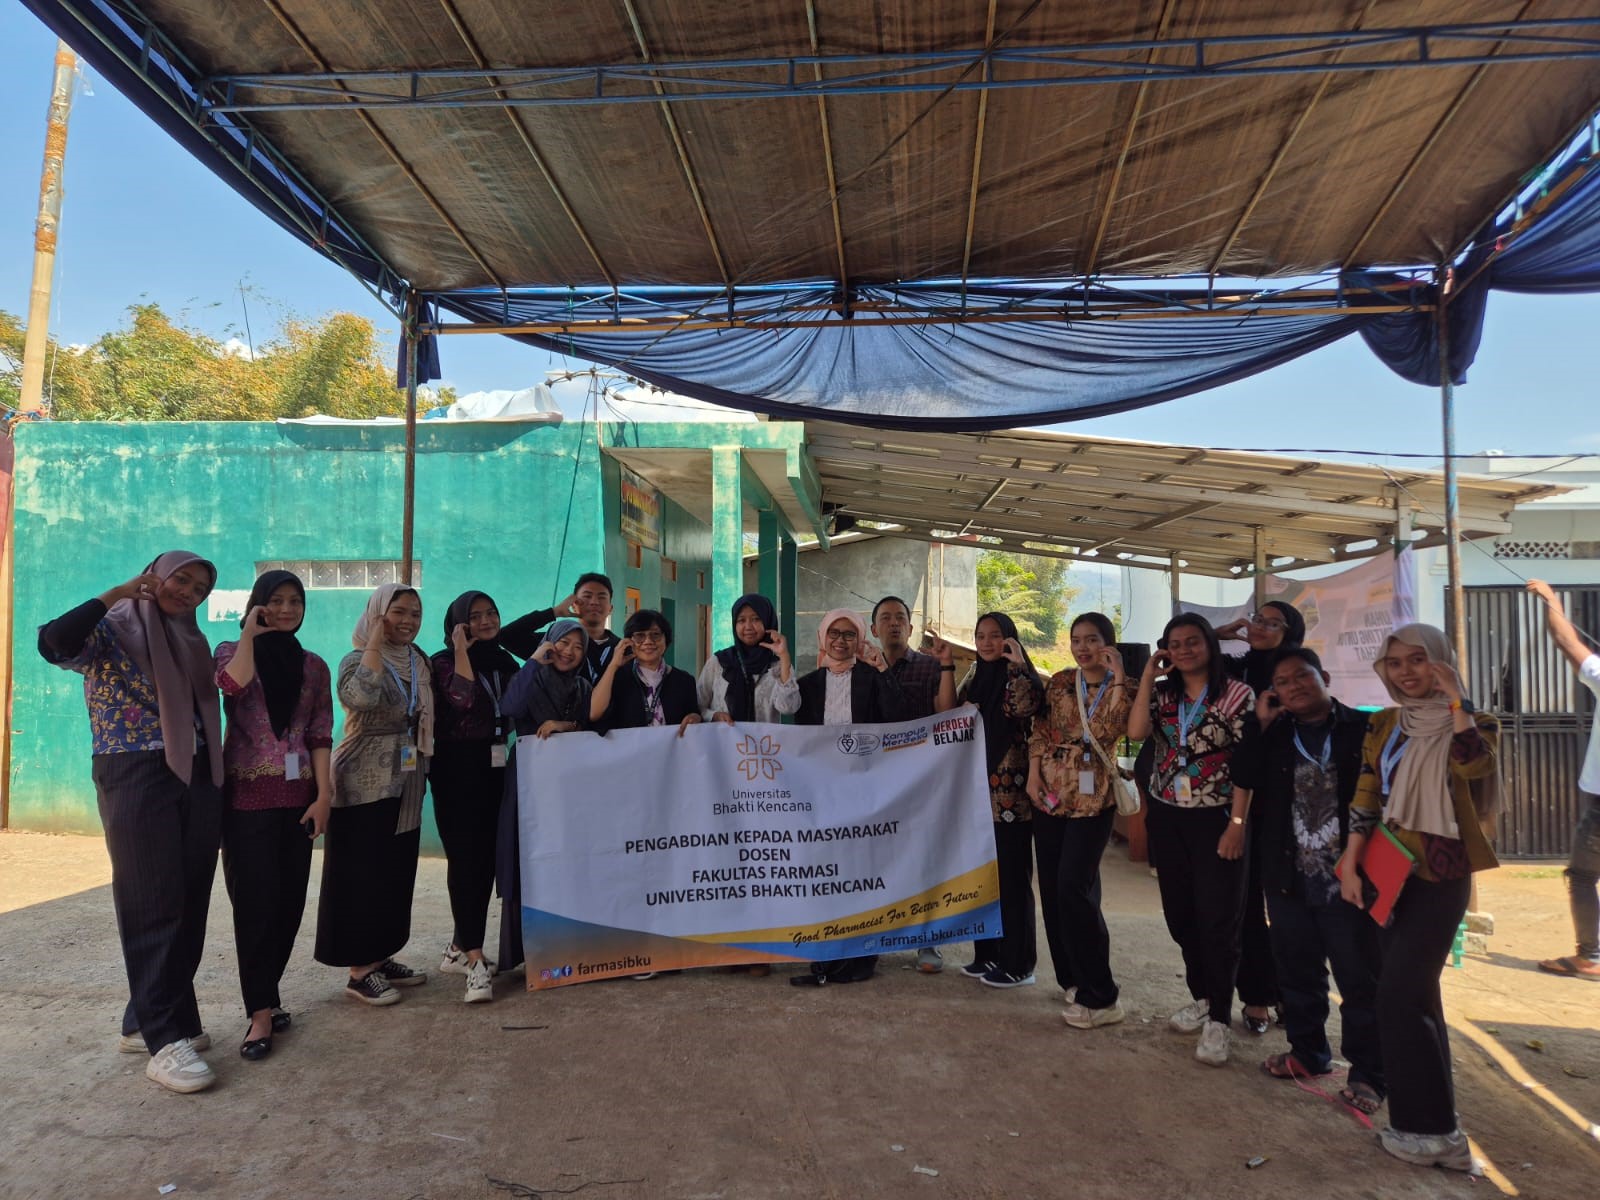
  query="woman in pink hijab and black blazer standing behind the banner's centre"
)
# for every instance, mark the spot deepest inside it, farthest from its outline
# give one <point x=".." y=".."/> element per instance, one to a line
<point x="852" y="687"/>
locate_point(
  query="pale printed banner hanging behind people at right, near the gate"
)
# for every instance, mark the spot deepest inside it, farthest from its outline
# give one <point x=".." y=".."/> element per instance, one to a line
<point x="1348" y="620"/>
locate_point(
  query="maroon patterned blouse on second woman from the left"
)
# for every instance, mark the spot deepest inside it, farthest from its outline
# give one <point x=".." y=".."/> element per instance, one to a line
<point x="254" y="758"/>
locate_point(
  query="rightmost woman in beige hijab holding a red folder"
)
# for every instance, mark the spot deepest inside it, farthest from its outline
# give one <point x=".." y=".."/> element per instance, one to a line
<point x="1431" y="775"/>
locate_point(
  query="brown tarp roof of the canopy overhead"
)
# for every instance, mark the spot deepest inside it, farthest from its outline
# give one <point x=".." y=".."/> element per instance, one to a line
<point x="1247" y="177"/>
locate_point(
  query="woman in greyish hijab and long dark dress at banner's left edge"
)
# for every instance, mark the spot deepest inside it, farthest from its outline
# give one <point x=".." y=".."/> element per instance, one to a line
<point x="550" y="695"/>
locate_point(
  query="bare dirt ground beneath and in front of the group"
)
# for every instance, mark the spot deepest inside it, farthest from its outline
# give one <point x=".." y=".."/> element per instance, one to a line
<point x="716" y="1086"/>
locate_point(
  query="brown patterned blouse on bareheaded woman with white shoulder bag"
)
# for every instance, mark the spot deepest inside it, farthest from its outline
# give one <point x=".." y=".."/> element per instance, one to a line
<point x="1063" y="753"/>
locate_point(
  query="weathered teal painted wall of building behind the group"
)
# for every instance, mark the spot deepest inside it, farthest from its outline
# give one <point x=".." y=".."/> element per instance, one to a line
<point x="514" y="511"/>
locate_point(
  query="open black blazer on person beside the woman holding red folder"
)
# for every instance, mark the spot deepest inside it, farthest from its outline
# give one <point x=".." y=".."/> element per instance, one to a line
<point x="1265" y="764"/>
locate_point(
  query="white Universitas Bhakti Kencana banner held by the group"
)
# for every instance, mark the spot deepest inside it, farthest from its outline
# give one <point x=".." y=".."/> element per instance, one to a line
<point x="753" y="844"/>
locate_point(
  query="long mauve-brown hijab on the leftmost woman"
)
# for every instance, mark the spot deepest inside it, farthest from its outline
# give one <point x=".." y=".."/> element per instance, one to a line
<point x="177" y="657"/>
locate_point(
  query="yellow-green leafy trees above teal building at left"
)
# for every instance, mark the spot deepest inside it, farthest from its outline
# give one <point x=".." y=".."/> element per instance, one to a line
<point x="161" y="370"/>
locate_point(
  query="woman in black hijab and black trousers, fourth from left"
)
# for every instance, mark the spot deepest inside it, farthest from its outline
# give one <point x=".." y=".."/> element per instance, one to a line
<point x="468" y="775"/>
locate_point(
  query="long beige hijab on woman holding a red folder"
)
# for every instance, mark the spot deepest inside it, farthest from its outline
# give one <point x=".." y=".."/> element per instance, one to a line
<point x="1420" y="796"/>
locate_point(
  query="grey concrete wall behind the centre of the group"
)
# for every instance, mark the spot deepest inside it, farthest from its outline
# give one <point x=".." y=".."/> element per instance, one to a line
<point x="858" y="574"/>
